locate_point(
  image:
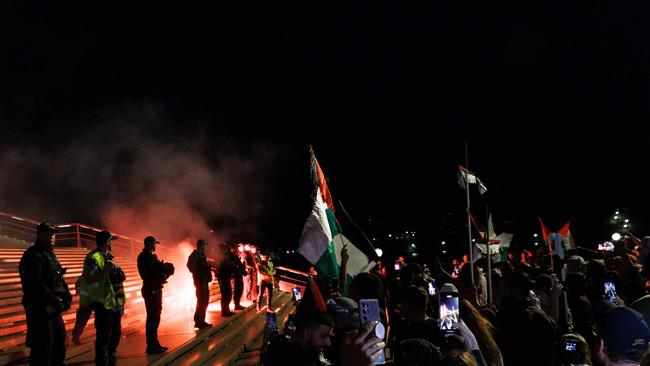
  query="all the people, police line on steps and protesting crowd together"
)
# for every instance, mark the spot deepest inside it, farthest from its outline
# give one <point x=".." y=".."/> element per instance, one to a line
<point x="584" y="308"/>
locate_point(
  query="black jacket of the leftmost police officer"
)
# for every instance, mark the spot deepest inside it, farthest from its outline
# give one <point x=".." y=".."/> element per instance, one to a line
<point x="41" y="276"/>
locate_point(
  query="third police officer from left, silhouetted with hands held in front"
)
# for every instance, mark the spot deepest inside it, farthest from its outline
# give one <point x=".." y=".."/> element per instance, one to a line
<point x="154" y="273"/>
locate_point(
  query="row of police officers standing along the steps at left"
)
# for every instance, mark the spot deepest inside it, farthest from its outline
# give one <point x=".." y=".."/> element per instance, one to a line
<point x="100" y="287"/>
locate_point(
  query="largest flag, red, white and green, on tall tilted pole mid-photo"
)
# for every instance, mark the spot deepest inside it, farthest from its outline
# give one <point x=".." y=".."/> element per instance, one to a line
<point x="321" y="239"/>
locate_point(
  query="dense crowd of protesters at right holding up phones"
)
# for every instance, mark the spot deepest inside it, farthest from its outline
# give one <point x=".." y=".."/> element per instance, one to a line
<point x="585" y="308"/>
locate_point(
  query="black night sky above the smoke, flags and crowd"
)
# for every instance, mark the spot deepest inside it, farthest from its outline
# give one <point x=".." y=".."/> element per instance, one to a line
<point x="552" y="97"/>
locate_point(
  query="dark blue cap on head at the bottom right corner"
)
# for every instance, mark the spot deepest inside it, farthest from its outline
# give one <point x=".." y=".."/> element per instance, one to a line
<point x="623" y="330"/>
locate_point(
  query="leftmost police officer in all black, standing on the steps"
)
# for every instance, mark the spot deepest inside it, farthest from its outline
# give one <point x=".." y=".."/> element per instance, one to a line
<point x="45" y="296"/>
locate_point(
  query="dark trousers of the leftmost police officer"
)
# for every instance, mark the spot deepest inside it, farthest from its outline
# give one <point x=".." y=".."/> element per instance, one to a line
<point x="45" y="337"/>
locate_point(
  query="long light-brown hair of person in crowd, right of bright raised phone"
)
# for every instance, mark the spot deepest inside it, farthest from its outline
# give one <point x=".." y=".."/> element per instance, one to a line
<point x="482" y="330"/>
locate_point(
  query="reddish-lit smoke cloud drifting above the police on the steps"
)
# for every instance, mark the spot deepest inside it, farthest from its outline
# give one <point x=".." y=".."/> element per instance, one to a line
<point x="131" y="174"/>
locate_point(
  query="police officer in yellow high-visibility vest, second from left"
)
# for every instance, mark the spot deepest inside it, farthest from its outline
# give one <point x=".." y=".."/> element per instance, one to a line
<point x="96" y="292"/>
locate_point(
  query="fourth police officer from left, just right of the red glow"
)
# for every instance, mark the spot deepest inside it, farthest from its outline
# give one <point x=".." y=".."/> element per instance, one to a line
<point x="198" y="264"/>
